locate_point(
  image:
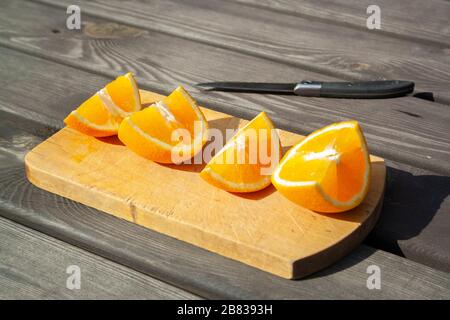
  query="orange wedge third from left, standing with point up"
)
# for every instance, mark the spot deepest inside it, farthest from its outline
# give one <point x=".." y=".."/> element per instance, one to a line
<point x="245" y="163"/>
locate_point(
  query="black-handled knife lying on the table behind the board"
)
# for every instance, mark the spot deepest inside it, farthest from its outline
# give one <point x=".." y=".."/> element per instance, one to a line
<point x="353" y="90"/>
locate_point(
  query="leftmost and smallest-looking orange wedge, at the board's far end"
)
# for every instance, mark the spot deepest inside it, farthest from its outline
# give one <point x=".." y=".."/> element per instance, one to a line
<point x="101" y="114"/>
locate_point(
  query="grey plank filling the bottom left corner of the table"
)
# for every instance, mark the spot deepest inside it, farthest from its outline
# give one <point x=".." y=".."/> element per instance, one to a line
<point x="33" y="266"/>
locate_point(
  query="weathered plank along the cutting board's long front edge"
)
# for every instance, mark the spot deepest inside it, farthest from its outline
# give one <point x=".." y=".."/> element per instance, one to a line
<point x="199" y="271"/>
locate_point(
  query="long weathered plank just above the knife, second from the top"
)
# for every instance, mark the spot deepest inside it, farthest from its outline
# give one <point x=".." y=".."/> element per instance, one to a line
<point x="297" y="41"/>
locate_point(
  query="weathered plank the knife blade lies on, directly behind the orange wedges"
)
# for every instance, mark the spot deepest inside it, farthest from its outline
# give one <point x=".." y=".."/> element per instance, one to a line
<point x="409" y="130"/>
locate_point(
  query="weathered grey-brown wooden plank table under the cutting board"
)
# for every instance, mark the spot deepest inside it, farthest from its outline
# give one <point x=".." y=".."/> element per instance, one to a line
<point x="46" y="70"/>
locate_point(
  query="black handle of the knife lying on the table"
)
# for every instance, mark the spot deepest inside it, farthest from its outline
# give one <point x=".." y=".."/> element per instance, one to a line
<point x="355" y="89"/>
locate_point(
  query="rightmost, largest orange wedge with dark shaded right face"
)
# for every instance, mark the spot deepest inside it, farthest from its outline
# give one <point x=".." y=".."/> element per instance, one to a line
<point x="329" y="171"/>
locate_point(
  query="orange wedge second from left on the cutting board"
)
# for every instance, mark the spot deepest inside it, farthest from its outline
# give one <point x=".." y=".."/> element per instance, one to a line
<point x="170" y="131"/>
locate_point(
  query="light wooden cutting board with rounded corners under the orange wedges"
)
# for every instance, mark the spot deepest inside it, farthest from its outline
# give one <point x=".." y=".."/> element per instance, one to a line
<point x="261" y="229"/>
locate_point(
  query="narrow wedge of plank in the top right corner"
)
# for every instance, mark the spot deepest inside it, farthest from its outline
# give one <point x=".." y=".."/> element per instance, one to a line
<point x="413" y="19"/>
